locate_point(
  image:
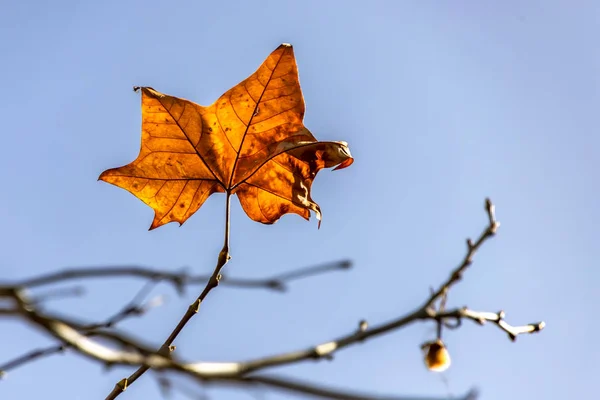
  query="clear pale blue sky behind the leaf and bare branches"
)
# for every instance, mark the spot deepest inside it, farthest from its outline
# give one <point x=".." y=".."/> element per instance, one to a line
<point x="442" y="103"/>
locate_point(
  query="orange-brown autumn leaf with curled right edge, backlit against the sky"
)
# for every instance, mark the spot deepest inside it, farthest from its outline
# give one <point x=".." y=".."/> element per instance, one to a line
<point x="250" y="142"/>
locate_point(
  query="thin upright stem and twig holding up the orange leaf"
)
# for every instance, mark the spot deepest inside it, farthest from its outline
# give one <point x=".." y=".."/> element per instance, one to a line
<point x="192" y="310"/>
